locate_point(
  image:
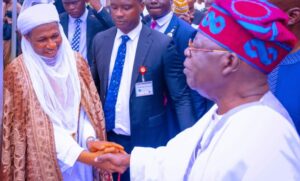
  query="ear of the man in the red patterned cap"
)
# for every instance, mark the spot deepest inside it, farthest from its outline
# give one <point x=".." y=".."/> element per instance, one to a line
<point x="230" y="63"/>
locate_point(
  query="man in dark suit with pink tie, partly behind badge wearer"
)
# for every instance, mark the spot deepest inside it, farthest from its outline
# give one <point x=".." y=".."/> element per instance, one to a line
<point x="165" y="21"/>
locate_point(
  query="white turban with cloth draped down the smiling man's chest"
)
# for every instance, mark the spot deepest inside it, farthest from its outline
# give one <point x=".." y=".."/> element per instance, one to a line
<point x="57" y="85"/>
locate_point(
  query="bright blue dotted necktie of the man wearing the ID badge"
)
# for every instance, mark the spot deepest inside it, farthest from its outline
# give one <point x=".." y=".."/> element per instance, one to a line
<point x="114" y="85"/>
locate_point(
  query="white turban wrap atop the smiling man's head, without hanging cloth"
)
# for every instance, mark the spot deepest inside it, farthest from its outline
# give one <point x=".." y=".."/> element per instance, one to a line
<point x="36" y="15"/>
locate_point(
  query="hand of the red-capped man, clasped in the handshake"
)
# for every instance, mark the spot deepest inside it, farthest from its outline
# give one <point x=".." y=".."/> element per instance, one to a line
<point x="113" y="162"/>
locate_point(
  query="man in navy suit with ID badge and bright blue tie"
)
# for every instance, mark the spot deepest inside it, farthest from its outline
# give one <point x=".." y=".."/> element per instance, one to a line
<point x="151" y="69"/>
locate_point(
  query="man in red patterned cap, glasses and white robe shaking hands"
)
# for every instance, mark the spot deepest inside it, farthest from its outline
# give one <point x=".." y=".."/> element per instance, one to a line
<point x="247" y="135"/>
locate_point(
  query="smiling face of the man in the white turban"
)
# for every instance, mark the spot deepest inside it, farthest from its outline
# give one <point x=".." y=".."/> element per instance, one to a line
<point x="45" y="39"/>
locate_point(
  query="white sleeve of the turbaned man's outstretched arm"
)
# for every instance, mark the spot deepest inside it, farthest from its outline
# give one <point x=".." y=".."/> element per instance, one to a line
<point x="67" y="149"/>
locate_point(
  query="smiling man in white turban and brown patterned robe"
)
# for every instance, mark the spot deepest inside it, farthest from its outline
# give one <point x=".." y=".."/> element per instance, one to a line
<point x="52" y="113"/>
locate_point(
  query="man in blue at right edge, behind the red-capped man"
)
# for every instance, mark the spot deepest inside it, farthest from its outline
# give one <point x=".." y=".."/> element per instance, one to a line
<point x="284" y="80"/>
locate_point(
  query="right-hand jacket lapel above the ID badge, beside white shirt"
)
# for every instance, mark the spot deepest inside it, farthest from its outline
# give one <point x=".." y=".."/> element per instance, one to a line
<point x="143" y="47"/>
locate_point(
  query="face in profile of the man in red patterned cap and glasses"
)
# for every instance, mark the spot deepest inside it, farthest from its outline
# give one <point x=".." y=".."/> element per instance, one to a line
<point x="205" y="65"/>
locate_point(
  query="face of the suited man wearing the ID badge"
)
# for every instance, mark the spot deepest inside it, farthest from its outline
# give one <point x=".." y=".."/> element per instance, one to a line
<point x="126" y="13"/>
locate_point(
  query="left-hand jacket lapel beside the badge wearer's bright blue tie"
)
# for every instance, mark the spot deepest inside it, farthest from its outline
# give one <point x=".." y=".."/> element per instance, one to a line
<point x="108" y="43"/>
